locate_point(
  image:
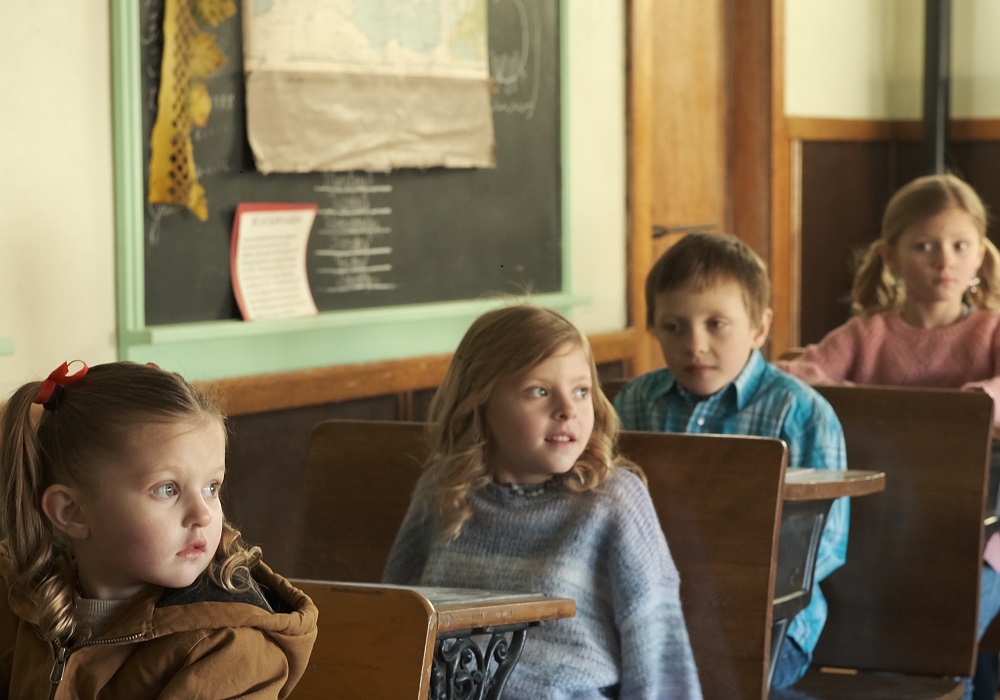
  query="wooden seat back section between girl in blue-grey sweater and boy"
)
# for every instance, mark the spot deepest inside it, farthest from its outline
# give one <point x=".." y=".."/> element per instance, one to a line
<point x="719" y="502"/>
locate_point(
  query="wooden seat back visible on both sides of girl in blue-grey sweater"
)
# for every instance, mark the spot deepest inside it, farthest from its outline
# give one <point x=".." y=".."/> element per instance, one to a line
<point x="360" y="475"/>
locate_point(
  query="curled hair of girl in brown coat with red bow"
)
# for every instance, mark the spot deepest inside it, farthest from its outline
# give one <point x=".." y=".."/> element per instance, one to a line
<point x="92" y="420"/>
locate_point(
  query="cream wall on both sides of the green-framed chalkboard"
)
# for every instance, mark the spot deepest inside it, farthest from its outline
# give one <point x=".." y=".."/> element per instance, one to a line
<point x="56" y="219"/>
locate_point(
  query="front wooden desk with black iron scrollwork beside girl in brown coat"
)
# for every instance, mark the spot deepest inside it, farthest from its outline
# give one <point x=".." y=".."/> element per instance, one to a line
<point x="377" y="640"/>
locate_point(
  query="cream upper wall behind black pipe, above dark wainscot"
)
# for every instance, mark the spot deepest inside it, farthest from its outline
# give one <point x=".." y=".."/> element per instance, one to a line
<point x="863" y="59"/>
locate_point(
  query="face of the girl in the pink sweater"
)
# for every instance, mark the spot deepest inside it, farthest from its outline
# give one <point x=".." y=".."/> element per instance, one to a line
<point x="937" y="259"/>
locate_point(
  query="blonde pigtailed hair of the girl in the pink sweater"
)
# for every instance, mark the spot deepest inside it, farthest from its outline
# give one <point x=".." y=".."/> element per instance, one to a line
<point x="875" y="290"/>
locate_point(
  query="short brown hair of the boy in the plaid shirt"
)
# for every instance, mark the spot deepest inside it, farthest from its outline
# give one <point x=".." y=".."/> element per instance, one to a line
<point x="701" y="260"/>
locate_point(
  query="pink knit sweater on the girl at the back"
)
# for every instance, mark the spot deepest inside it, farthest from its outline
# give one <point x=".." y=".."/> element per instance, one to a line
<point x="884" y="349"/>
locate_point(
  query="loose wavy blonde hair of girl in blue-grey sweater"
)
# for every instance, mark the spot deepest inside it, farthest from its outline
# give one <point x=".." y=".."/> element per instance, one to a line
<point x="503" y="344"/>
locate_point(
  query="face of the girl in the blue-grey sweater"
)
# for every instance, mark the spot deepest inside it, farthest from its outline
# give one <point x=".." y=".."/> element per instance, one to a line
<point x="541" y="420"/>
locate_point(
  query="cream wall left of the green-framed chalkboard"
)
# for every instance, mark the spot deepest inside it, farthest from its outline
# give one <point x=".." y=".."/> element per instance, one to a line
<point x="56" y="229"/>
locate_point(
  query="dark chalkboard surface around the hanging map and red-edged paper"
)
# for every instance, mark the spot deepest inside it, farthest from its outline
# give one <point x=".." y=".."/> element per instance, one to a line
<point x="422" y="235"/>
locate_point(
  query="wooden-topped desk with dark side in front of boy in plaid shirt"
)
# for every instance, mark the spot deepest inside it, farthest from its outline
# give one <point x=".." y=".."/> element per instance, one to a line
<point x="807" y="496"/>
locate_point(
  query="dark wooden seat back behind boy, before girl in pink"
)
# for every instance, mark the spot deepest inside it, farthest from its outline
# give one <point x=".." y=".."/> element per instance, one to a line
<point x="906" y="601"/>
